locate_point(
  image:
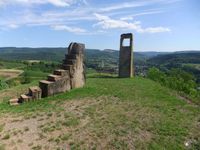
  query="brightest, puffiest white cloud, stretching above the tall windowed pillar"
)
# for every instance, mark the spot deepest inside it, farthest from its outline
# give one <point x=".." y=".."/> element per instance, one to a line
<point x="106" y="22"/>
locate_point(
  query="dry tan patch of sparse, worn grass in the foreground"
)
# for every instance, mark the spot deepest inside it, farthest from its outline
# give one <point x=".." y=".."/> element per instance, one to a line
<point x="90" y="123"/>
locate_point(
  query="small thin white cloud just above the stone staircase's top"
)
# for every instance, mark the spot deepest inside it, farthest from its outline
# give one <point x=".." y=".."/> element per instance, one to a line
<point x="69" y="29"/>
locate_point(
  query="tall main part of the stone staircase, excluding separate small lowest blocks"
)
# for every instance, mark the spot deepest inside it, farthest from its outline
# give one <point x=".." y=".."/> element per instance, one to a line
<point x="70" y="76"/>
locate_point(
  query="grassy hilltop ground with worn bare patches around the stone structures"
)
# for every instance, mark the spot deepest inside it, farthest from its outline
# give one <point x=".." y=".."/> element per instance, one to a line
<point x="108" y="113"/>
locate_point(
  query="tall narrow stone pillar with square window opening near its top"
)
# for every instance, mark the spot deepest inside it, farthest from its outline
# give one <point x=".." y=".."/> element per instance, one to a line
<point x="126" y="56"/>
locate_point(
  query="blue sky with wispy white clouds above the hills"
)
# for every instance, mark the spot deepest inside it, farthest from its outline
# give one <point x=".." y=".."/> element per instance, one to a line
<point x="157" y="25"/>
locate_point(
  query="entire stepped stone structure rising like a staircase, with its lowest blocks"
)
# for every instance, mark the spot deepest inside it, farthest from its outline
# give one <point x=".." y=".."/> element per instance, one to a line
<point x="71" y="75"/>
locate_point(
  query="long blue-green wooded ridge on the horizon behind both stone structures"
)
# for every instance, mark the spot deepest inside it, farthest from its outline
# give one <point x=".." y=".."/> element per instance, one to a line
<point x="57" y="53"/>
